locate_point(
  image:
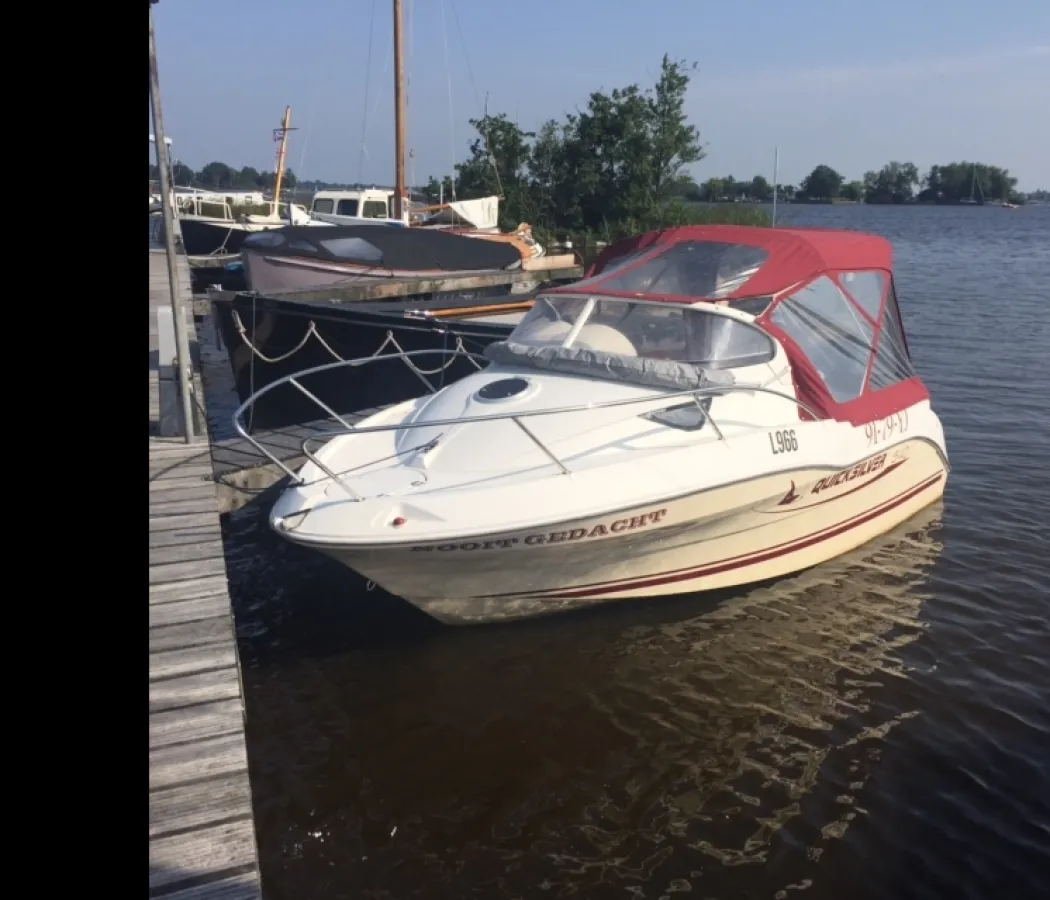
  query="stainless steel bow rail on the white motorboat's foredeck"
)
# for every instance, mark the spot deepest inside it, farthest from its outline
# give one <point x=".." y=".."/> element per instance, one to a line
<point x="697" y="394"/>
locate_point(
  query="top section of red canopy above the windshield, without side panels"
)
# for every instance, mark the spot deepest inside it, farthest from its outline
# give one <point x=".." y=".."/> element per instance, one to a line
<point x="783" y="257"/>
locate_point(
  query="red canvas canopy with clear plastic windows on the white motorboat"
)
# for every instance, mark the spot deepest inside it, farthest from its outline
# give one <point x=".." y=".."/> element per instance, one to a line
<point x="828" y="297"/>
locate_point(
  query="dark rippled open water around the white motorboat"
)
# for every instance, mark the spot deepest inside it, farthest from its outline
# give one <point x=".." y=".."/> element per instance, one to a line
<point x="876" y="728"/>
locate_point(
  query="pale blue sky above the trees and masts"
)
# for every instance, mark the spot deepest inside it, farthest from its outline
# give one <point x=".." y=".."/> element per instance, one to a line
<point x="846" y="83"/>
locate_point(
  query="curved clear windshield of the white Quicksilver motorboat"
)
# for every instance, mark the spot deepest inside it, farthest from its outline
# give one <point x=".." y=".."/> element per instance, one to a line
<point x="700" y="338"/>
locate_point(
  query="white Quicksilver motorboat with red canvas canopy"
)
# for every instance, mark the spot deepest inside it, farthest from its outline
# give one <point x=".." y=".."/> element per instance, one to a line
<point x="711" y="407"/>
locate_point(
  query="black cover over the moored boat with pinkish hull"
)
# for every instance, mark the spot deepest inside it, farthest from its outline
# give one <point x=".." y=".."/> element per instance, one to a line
<point x="388" y="247"/>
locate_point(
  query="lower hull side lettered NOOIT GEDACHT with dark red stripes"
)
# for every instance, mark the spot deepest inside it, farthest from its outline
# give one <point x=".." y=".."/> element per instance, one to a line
<point x="733" y="535"/>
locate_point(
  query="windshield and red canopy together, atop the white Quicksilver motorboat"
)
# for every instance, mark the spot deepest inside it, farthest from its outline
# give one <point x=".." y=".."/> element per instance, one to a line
<point x="687" y="303"/>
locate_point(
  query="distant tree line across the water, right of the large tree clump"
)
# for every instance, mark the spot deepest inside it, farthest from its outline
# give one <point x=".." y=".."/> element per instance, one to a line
<point x="895" y="183"/>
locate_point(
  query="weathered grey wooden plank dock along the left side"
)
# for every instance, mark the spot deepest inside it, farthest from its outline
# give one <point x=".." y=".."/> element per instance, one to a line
<point x="202" y="835"/>
